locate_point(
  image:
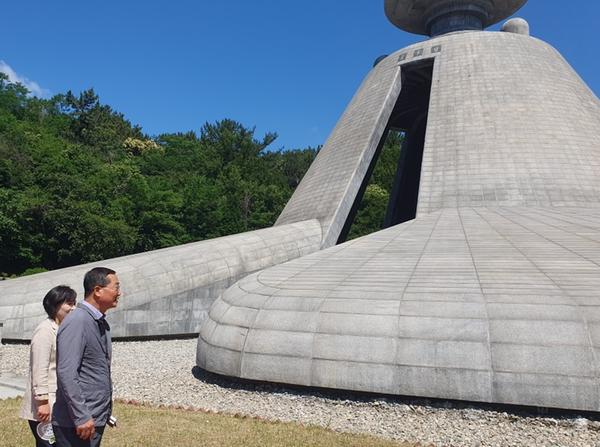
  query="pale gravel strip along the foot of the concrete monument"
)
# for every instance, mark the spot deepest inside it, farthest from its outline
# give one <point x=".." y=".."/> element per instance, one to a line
<point x="163" y="372"/>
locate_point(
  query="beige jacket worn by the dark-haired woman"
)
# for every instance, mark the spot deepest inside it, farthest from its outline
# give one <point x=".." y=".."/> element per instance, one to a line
<point x="41" y="383"/>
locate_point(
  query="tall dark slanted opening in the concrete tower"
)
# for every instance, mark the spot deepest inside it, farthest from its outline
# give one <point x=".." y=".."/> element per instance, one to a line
<point x="409" y="120"/>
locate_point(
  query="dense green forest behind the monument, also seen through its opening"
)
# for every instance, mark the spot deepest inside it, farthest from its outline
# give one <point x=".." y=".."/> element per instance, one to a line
<point x="79" y="182"/>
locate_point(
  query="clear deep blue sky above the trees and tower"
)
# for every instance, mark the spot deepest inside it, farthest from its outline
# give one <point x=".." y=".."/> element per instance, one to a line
<point x="284" y="66"/>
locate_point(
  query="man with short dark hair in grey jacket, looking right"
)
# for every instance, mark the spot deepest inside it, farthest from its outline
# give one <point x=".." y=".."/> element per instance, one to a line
<point x="83" y="353"/>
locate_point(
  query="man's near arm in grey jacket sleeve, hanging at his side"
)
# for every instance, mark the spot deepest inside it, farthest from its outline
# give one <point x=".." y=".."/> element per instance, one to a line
<point x="70" y="345"/>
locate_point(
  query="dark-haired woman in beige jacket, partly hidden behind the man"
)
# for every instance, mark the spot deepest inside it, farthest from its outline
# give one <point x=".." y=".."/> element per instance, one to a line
<point x="41" y="391"/>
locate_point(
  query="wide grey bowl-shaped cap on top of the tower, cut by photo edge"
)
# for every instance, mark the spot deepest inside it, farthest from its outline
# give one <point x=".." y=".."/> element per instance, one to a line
<point x="435" y="17"/>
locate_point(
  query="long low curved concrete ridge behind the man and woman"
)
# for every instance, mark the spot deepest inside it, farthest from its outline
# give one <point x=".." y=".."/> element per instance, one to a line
<point x="167" y="291"/>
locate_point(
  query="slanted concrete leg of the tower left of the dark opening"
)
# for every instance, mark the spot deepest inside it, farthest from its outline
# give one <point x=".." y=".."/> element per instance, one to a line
<point x="329" y="187"/>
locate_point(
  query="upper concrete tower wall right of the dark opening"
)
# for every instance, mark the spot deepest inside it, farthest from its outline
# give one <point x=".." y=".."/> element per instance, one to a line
<point x="510" y="123"/>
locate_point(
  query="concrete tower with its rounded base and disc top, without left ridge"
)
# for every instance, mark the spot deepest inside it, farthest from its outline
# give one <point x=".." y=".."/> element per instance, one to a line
<point x="485" y="283"/>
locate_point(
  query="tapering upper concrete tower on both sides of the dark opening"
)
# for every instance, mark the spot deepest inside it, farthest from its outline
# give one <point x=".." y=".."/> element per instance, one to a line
<point x="510" y="123"/>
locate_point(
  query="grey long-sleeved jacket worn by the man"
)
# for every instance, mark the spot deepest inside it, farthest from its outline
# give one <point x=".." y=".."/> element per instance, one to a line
<point x="83" y="354"/>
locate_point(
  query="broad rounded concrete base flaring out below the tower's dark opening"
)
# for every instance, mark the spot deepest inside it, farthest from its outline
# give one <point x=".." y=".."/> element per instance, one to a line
<point x="481" y="304"/>
